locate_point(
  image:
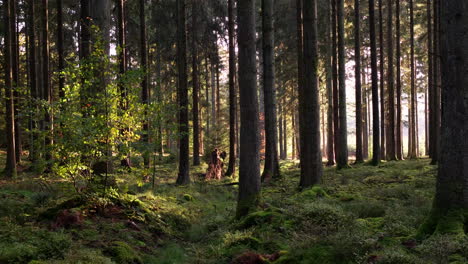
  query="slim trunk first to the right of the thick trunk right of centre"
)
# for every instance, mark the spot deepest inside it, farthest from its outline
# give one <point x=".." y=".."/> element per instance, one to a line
<point x="336" y="114"/>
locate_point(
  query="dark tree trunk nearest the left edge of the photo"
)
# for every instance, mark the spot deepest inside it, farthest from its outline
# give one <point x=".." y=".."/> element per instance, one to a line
<point x="10" y="168"/>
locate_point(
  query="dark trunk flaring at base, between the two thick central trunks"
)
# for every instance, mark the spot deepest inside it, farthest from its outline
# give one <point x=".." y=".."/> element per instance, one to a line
<point x="271" y="168"/>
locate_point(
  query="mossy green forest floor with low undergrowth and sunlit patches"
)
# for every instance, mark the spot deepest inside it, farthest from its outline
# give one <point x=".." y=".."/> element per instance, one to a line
<point x="363" y="214"/>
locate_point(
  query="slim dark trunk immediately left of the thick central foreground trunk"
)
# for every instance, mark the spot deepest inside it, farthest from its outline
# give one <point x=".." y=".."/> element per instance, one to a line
<point x="232" y="91"/>
